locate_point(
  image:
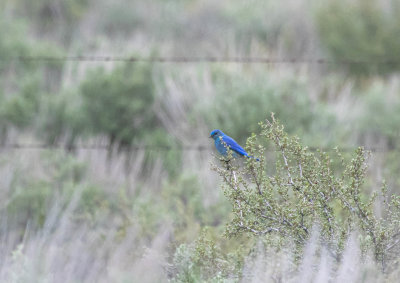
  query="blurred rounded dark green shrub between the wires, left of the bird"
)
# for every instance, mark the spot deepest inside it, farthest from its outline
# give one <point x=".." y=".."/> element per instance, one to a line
<point x="118" y="104"/>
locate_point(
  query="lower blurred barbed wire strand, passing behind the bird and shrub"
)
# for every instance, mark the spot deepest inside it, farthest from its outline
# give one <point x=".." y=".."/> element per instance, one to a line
<point x="22" y="146"/>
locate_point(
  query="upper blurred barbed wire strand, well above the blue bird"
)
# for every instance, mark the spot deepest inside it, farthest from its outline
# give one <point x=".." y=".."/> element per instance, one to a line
<point x="188" y="59"/>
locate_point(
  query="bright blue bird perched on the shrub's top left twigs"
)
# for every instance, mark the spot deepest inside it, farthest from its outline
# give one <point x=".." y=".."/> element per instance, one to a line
<point x="223" y="142"/>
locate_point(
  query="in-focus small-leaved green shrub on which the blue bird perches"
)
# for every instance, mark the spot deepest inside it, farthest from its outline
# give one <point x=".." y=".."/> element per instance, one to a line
<point x="305" y="190"/>
